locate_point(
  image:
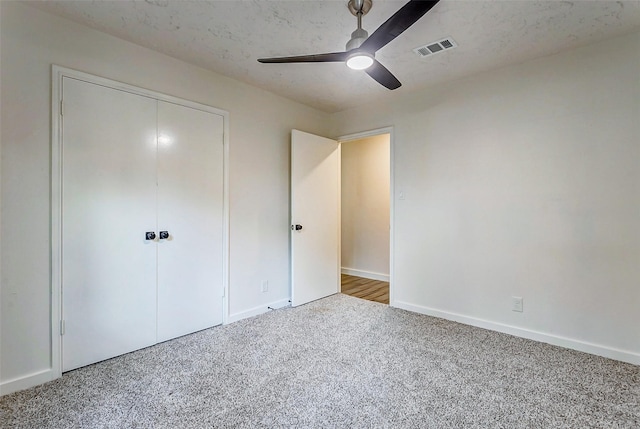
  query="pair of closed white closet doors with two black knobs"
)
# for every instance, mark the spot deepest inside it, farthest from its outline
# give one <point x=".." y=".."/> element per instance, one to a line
<point x="142" y="220"/>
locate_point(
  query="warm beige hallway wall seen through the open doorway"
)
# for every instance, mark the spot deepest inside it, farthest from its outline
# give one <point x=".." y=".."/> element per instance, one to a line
<point x="365" y="207"/>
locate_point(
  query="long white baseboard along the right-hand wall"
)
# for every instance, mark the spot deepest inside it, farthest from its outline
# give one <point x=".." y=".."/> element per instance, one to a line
<point x="569" y="343"/>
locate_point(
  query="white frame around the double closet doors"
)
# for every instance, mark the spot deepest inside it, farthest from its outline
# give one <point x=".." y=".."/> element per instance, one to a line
<point x="57" y="109"/>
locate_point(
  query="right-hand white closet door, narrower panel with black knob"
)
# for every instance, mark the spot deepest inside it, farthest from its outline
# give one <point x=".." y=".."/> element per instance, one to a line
<point x="190" y="209"/>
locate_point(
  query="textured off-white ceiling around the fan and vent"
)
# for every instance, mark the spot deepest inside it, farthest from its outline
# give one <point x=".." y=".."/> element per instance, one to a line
<point x="228" y="36"/>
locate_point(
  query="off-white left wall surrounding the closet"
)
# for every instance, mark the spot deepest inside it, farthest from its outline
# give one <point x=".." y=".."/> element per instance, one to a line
<point x="260" y="123"/>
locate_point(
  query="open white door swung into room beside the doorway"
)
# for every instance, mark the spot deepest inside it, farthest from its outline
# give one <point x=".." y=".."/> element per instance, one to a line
<point x="315" y="258"/>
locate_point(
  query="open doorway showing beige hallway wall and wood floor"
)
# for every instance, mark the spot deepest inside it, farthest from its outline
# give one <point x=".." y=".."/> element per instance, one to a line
<point x="366" y="215"/>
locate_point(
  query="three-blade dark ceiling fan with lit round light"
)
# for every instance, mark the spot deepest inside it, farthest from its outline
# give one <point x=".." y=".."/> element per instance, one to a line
<point x="361" y="49"/>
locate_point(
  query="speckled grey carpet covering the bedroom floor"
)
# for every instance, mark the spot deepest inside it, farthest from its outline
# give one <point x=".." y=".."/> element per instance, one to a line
<point x="340" y="362"/>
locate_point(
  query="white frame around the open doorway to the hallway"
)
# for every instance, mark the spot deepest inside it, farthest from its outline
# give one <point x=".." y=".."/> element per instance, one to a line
<point x="357" y="136"/>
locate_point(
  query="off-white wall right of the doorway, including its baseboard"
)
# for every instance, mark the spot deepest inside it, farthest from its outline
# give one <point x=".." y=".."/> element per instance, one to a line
<point x="523" y="182"/>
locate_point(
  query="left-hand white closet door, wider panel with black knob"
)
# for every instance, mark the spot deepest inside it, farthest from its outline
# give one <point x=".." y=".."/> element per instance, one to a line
<point x="108" y="203"/>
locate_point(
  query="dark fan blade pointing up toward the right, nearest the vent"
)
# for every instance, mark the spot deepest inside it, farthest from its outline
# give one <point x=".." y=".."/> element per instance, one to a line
<point x="394" y="26"/>
